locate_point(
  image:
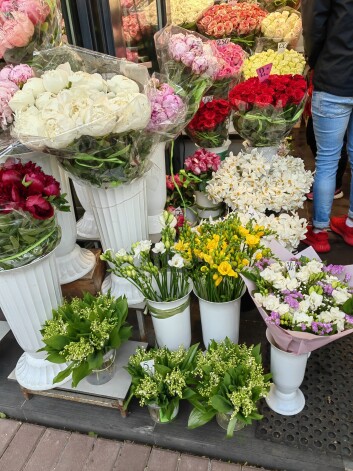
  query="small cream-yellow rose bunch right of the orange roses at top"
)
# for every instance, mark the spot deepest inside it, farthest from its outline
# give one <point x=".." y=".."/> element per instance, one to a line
<point x="284" y="25"/>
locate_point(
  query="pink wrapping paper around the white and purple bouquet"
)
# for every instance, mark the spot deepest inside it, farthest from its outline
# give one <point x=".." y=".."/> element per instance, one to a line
<point x="288" y="340"/>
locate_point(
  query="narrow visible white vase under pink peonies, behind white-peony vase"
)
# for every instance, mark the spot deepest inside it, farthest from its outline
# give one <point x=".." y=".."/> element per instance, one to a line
<point x="156" y="191"/>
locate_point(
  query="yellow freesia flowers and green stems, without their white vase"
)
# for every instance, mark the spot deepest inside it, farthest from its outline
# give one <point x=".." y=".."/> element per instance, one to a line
<point x="217" y="252"/>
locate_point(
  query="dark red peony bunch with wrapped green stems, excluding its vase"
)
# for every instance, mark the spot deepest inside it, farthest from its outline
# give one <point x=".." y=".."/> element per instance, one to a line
<point x="28" y="228"/>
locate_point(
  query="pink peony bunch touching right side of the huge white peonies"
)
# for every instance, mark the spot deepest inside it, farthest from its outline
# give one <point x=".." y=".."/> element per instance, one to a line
<point x="168" y="108"/>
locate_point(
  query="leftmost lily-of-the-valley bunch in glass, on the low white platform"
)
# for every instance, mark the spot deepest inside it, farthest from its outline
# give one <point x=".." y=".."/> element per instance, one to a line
<point x="85" y="334"/>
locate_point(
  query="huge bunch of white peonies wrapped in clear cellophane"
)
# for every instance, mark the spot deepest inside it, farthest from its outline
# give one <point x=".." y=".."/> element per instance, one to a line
<point x="93" y="122"/>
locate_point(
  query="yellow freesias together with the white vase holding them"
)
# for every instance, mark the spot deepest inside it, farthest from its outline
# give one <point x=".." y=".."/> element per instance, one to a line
<point x="216" y="252"/>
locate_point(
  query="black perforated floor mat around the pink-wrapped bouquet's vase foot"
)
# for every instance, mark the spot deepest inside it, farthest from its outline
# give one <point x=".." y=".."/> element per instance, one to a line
<point x="326" y="422"/>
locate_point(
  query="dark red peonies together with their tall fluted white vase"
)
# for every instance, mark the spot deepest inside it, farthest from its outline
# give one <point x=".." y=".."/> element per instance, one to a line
<point x="29" y="284"/>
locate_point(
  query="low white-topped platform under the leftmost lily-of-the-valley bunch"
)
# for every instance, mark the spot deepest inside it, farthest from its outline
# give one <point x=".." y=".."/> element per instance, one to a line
<point x="111" y="394"/>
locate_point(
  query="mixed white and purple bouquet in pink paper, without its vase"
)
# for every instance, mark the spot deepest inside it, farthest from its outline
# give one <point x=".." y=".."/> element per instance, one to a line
<point x="304" y="302"/>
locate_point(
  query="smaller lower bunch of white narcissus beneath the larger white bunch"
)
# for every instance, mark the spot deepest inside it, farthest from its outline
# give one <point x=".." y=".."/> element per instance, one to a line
<point x="287" y="229"/>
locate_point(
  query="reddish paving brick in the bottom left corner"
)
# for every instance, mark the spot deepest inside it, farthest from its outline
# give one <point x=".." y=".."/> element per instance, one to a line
<point x="21" y="447"/>
